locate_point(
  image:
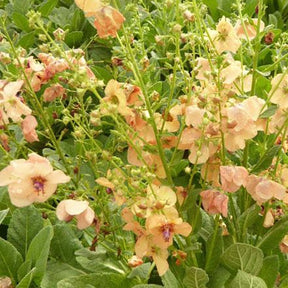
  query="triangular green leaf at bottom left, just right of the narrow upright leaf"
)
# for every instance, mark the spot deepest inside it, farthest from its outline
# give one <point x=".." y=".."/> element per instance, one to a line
<point x="57" y="271"/>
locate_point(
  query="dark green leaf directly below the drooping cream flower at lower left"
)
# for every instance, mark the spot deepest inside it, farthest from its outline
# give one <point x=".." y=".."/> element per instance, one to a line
<point x="64" y="244"/>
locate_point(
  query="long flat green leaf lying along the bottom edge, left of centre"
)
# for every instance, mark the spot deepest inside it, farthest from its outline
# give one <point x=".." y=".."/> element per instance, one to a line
<point x="103" y="280"/>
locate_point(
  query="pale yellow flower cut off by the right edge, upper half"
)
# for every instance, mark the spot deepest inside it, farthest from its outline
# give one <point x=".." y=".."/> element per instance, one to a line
<point x="279" y="91"/>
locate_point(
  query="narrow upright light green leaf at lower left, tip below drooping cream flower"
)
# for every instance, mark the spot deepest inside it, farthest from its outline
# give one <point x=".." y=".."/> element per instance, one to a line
<point x="38" y="252"/>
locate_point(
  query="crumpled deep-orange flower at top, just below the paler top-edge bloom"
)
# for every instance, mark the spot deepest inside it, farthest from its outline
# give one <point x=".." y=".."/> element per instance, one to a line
<point x="108" y="21"/>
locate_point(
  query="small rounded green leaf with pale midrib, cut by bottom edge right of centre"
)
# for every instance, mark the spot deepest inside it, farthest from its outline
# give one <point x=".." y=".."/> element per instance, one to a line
<point x="195" y="278"/>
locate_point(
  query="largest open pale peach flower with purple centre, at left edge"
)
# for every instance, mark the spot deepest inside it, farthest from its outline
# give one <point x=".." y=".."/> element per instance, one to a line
<point x="31" y="180"/>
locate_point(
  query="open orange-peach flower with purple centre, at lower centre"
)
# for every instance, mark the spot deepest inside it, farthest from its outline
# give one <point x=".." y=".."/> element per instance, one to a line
<point x="164" y="226"/>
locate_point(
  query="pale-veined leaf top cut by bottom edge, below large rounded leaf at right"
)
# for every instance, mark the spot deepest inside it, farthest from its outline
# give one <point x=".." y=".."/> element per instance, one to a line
<point x="245" y="280"/>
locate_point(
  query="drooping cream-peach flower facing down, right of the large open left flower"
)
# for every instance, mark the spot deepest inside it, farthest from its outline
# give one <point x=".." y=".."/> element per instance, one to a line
<point x="67" y="209"/>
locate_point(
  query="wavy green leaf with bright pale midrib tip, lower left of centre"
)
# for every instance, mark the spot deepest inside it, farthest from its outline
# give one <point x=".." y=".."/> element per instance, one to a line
<point x="98" y="261"/>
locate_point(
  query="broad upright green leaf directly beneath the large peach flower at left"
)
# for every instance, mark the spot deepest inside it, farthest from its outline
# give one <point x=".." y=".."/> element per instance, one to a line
<point x="24" y="225"/>
